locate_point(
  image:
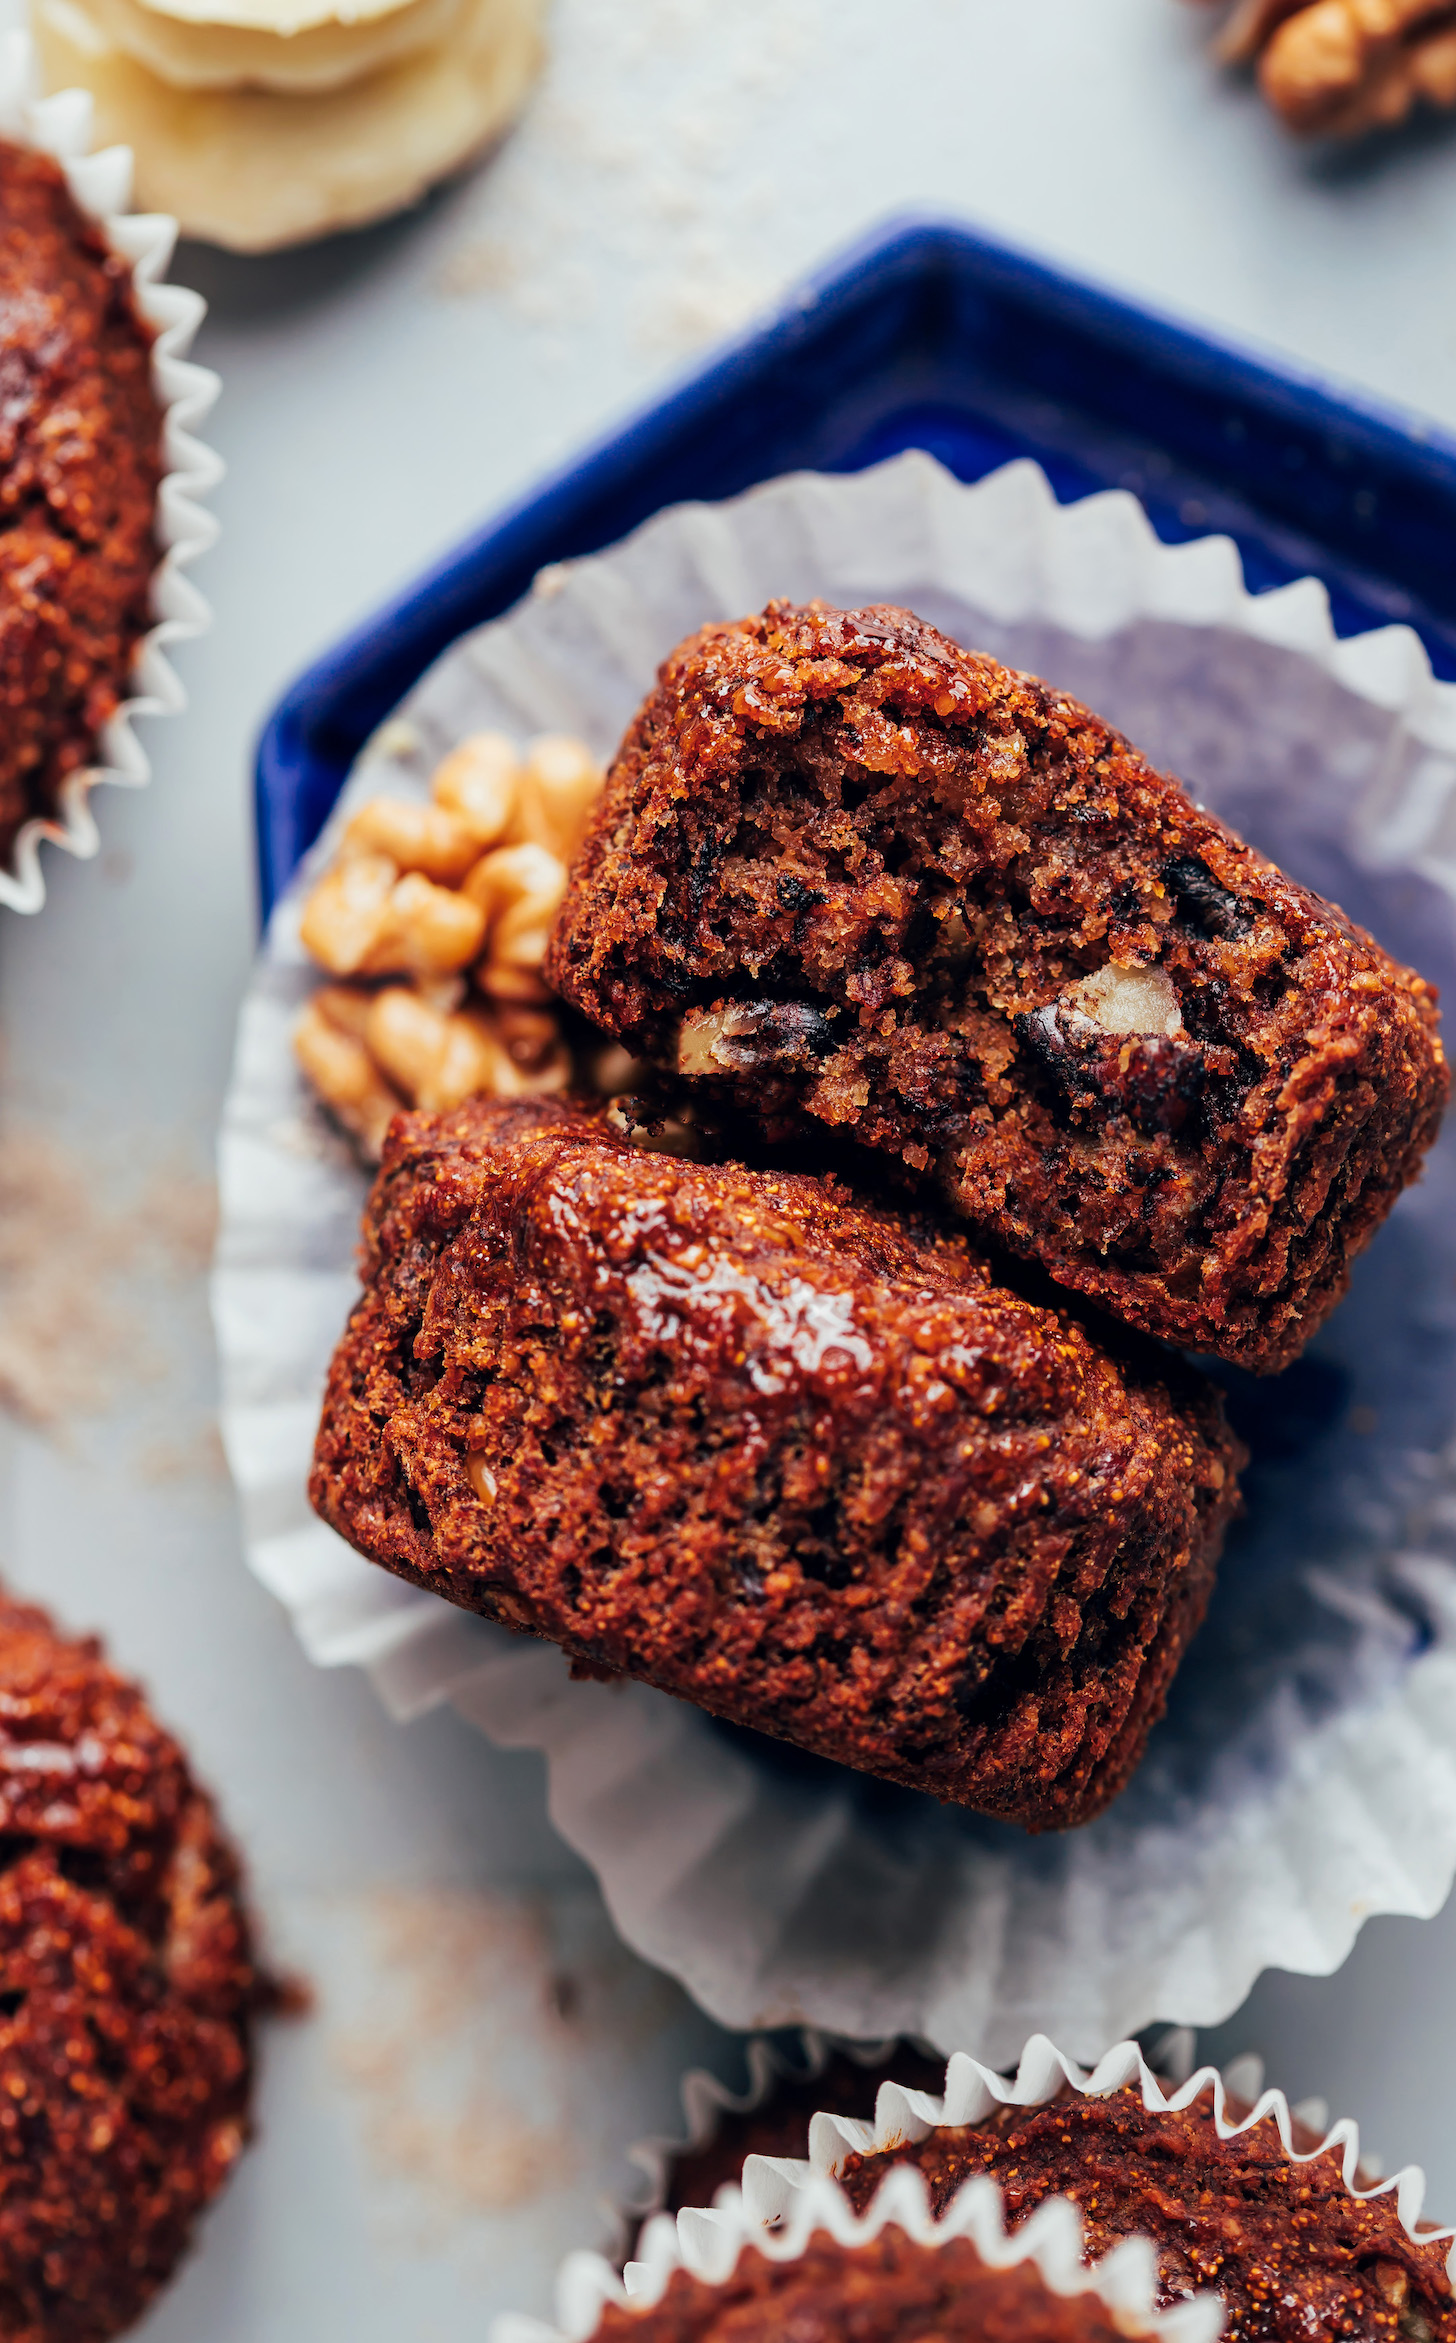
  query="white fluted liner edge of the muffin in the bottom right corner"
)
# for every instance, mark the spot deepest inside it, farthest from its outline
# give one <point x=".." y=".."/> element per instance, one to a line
<point x="775" y="2185"/>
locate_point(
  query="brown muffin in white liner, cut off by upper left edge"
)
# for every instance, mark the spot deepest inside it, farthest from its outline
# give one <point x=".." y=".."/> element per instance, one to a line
<point x="81" y="458"/>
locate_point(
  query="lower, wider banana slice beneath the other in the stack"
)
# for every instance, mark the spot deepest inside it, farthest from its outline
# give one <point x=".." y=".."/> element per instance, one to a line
<point x="257" y="170"/>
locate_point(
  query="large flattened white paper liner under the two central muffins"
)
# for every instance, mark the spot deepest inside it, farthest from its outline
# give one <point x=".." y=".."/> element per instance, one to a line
<point x="1307" y="1770"/>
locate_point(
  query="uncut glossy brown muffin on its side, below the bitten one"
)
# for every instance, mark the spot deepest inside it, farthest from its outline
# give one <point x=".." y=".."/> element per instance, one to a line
<point x="777" y="1454"/>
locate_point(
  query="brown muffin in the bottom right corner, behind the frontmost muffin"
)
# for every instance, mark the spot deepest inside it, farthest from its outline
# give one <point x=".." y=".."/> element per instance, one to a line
<point x="1293" y="2253"/>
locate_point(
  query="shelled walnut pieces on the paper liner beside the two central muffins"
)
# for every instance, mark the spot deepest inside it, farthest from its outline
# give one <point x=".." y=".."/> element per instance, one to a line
<point x="433" y="924"/>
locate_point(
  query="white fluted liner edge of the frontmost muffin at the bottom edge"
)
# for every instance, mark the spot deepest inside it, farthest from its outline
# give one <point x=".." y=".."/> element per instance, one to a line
<point x="707" y="2243"/>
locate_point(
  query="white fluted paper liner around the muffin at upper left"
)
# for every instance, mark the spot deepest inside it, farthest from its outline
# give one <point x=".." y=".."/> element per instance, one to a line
<point x="102" y="191"/>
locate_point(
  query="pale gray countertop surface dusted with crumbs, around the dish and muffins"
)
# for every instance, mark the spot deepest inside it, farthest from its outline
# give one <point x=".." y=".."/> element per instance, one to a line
<point x="454" y="2112"/>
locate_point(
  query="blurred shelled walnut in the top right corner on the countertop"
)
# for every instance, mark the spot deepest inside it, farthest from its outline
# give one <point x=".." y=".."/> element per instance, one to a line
<point x="1345" y="67"/>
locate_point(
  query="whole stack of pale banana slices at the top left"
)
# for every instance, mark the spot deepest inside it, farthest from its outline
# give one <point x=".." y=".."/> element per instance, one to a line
<point x="266" y="123"/>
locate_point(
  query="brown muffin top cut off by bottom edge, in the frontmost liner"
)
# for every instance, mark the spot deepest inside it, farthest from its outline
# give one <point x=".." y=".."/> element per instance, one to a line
<point x="887" y="2290"/>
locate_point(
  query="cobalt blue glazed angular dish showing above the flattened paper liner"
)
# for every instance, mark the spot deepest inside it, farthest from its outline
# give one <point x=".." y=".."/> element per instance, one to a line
<point x="336" y="704"/>
